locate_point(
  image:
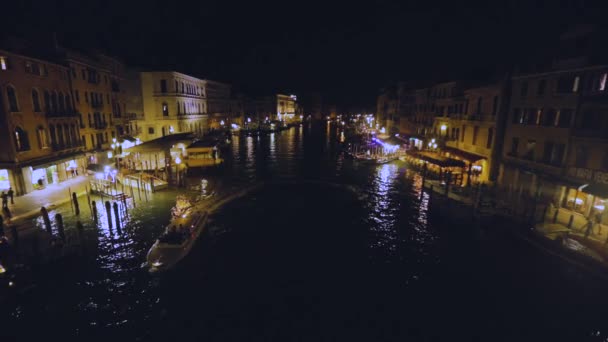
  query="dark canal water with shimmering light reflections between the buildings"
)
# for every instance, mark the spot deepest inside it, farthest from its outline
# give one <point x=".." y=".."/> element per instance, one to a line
<point x="325" y="250"/>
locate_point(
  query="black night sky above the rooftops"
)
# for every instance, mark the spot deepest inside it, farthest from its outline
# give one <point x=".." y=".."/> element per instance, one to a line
<point x="345" y="50"/>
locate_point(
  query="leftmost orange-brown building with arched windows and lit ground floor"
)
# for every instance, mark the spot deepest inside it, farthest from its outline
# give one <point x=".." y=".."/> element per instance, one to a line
<point x="41" y="130"/>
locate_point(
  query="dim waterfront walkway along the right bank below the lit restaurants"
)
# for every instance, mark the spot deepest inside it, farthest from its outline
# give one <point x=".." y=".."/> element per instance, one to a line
<point x="538" y="224"/>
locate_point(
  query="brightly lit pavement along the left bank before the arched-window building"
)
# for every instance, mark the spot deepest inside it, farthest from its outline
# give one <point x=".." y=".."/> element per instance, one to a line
<point x="52" y="195"/>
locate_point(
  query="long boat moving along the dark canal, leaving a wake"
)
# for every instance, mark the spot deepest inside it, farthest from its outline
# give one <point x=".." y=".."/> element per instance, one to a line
<point x="177" y="241"/>
